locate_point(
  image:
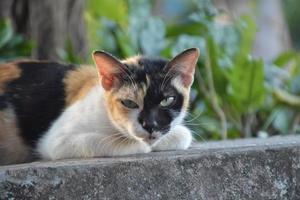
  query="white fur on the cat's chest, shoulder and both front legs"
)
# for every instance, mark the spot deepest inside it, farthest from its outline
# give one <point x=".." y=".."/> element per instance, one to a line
<point x="85" y="130"/>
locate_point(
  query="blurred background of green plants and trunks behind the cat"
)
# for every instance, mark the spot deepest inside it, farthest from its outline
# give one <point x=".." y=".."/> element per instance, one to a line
<point x="247" y="82"/>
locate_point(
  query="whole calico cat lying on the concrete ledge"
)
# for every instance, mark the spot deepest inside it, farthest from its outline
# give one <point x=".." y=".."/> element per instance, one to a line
<point x="116" y="108"/>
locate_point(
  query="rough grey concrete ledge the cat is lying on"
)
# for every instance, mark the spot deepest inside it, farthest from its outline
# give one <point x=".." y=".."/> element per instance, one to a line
<point x="242" y="169"/>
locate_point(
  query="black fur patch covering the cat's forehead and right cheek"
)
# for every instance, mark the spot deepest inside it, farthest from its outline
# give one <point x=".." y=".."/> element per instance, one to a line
<point x="152" y="111"/>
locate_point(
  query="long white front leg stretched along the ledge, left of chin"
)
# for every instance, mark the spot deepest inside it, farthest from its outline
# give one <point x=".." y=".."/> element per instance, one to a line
<point x="87" y="145"/>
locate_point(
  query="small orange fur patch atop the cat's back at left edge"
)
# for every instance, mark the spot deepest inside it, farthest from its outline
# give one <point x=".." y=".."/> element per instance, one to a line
<point x="8" y="72"/>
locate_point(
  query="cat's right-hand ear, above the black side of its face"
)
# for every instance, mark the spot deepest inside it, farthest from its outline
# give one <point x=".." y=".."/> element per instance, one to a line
<point x="183" y="65"/>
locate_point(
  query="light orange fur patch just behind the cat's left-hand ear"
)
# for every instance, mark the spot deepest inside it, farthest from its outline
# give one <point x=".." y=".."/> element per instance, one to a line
<point x="79" y="82"/>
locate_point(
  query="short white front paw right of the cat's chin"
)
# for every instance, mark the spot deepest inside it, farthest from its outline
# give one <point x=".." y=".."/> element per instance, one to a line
<point x="179" y="137"/>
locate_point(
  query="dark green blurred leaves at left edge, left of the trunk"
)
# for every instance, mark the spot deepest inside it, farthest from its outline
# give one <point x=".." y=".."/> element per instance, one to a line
<point x="12" y="45"/>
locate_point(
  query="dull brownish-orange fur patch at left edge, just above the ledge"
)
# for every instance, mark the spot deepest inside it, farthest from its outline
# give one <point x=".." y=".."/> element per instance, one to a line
<point x="12" y="147"/>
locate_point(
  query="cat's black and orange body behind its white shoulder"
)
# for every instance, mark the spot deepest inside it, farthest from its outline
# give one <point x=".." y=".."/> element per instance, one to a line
<point x="32" y="95"/>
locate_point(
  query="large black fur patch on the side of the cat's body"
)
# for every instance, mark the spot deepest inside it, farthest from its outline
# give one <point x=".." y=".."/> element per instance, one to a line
<point x="37" y="97"/>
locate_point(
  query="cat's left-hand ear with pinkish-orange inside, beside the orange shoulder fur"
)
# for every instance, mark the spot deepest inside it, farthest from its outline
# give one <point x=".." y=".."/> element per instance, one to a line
<point x="109" y="69"/>
